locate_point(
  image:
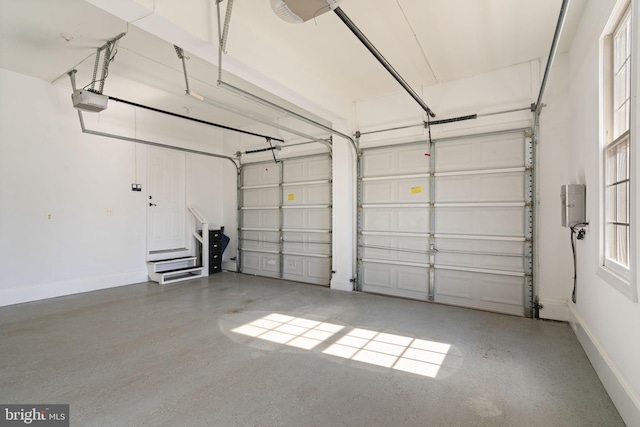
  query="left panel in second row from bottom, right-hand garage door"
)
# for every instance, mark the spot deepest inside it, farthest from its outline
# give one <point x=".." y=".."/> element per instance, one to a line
<point x="396" y="248"/>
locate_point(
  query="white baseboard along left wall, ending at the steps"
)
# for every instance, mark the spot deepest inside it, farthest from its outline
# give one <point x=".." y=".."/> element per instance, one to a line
<point x="19" y="295"/>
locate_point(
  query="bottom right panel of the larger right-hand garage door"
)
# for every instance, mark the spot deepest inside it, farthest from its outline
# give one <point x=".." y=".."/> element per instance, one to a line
<point x="479" y="290"/>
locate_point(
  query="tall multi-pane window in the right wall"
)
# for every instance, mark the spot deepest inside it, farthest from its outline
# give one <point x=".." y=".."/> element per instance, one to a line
<point x="616" y="156"/>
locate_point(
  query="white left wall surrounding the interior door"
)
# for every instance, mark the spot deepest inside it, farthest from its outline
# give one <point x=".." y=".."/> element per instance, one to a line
<point x="97" y="235"/>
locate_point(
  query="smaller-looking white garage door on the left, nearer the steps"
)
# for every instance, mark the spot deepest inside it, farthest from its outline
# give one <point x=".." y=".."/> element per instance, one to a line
<point x="285" y="219"/>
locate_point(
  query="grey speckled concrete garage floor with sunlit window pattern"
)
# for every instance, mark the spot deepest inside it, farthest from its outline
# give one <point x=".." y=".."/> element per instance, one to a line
<point x="205" y="352"/>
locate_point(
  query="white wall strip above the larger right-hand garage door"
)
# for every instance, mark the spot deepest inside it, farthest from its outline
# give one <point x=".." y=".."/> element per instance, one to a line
<point x="509" y="88"/>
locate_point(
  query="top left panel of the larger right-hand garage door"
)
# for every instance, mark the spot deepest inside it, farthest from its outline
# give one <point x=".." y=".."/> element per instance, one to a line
<point x="396" y="161"/>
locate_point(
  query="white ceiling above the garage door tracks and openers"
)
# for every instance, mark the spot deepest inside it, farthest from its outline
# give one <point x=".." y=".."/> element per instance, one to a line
<point x="321" y="61"/>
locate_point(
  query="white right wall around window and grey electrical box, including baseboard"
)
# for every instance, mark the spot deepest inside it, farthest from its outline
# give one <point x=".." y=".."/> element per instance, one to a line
<point x="605" y="321"/>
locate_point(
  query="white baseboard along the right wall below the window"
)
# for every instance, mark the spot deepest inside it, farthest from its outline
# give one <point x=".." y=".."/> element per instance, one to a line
<point x="622" y="394"/>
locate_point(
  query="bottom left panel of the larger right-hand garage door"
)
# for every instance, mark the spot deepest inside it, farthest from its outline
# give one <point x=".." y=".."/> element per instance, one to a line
<point x="406" y="281"/>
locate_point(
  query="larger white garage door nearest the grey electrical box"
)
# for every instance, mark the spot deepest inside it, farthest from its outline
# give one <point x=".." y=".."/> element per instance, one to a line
<point x="450" y="221"/>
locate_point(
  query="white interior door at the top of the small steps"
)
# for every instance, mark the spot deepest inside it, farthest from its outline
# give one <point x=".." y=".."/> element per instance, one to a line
<point x="166" y="203"/>
